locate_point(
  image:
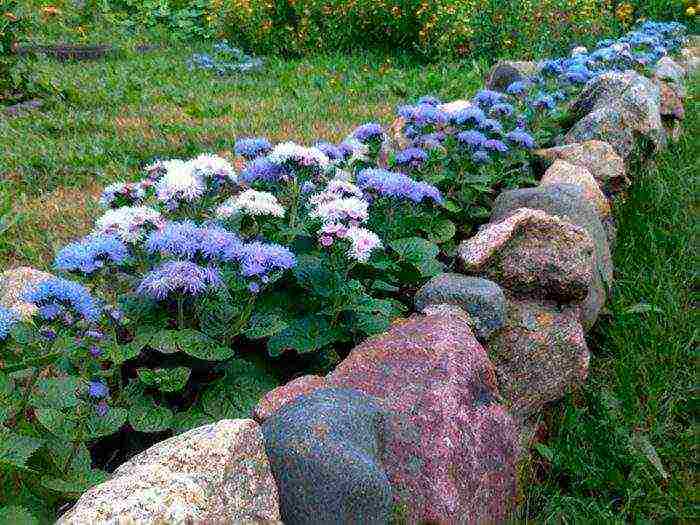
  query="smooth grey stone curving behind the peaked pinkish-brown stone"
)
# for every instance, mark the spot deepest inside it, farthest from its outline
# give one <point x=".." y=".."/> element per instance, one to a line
<point x="567" y="202"/>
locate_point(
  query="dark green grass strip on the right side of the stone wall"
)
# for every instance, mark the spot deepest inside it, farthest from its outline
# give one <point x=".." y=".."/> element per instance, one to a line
<point x="623" y="449"/>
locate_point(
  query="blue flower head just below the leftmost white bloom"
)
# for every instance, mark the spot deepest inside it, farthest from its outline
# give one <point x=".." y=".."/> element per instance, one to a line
<point x="91" y="253"/>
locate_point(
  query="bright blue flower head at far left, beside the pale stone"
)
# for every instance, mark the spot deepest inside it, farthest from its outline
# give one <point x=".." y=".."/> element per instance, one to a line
<point x="57" y="296"/>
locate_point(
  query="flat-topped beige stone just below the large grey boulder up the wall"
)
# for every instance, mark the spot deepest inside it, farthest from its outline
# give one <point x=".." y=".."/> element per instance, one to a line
<point x="598" y="157"/>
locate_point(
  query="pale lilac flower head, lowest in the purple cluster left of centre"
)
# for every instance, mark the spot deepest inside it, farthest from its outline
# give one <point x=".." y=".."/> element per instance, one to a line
<point x="182" y="277"/>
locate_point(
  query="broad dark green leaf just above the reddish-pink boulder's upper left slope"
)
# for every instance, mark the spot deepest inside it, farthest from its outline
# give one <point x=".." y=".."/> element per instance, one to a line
<point x="305" y="334"/>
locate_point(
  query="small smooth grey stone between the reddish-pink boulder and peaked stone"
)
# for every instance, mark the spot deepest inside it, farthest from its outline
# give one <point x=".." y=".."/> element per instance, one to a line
<point x="482" y="299"/>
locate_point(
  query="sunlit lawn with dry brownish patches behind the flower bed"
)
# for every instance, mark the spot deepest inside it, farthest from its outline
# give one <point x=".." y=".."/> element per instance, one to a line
<point x="120" y="114"/>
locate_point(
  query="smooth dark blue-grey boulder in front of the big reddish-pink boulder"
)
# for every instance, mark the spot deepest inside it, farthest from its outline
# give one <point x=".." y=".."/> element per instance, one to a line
<point x="325" y="451"/>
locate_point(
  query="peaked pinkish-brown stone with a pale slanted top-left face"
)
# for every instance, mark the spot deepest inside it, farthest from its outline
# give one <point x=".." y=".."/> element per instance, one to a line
<point x="532" y="254"/>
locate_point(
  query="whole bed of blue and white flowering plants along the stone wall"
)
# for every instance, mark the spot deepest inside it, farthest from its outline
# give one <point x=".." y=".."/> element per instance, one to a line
<point x="192" y="261"/>
